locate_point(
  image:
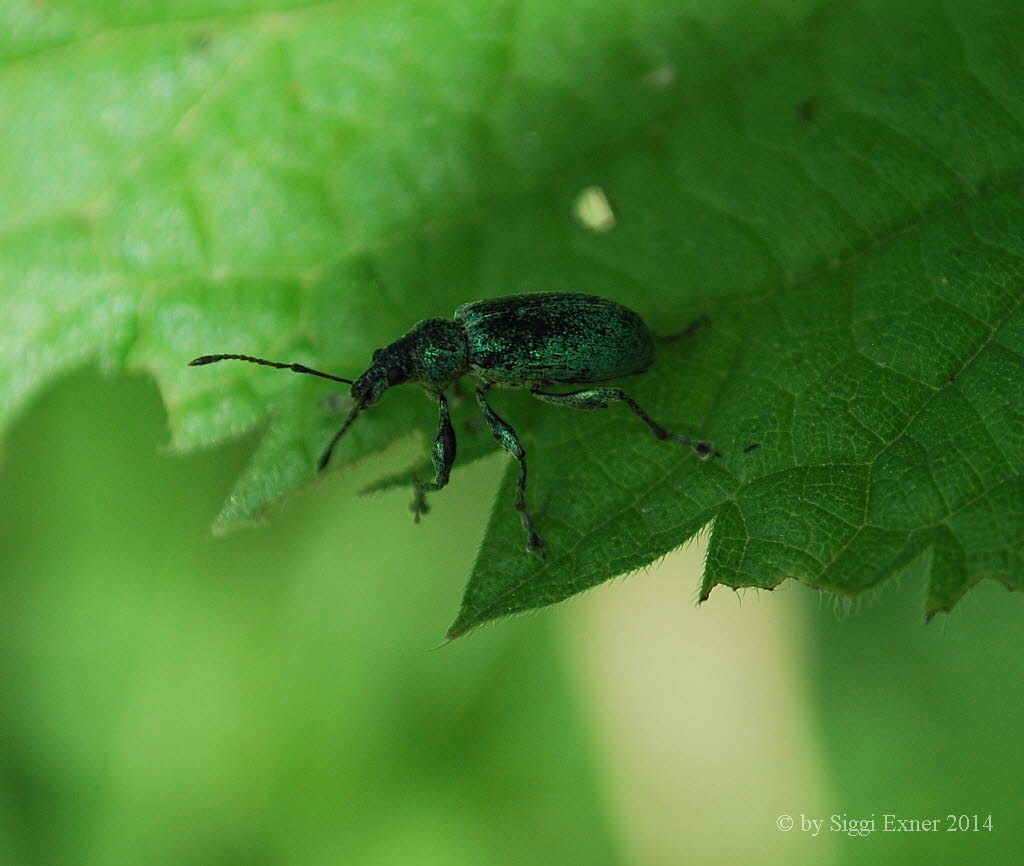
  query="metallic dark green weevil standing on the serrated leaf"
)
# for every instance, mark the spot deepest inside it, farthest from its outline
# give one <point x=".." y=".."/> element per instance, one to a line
<point x="520" y="341"/>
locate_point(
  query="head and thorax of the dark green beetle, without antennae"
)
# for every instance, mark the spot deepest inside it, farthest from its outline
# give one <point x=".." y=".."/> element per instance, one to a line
<point x="434" y="353"/>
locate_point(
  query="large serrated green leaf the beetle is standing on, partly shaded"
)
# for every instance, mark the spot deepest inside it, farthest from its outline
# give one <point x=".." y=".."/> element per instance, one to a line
<point x="837" y="186"/>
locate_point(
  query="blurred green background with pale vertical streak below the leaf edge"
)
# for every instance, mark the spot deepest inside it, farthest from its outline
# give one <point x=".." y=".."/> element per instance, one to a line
<point x="281" y="697"/>
